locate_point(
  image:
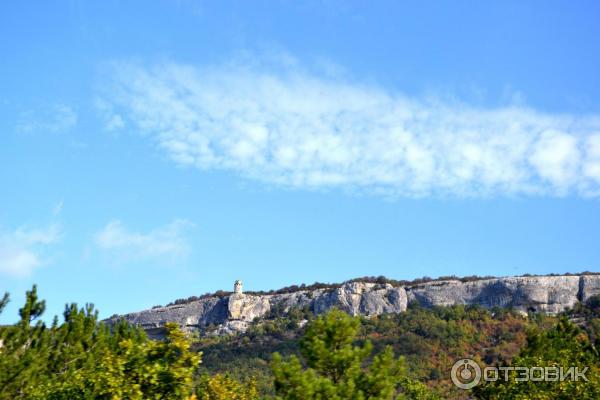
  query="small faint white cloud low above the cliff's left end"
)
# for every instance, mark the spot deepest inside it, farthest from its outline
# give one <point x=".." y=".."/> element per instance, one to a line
<point x="167" y="243"/>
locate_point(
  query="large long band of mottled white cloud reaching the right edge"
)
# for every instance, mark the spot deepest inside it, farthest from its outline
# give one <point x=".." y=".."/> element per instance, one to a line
<point x="289" y="126"/>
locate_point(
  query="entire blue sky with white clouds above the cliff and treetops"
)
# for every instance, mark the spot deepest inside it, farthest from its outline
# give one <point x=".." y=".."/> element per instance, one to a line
<point x="157" y="150"/>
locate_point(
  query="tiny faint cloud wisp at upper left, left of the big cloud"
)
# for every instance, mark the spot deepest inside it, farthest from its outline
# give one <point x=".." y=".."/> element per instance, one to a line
<point x="55" y="118"/>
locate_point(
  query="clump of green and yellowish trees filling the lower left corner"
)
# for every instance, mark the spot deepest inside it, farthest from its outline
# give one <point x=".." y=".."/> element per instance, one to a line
<point x="84" y="359"/>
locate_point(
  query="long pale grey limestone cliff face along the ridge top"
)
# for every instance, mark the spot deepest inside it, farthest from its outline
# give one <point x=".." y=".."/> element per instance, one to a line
<point x="547" y="294"/>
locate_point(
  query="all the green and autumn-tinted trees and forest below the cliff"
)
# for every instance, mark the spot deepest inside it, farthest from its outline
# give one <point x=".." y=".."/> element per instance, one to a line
<point x="296" y="355"/>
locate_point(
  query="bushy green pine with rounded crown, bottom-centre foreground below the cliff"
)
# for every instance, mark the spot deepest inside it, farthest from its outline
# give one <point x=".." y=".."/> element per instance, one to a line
<point x="337" y="369"/>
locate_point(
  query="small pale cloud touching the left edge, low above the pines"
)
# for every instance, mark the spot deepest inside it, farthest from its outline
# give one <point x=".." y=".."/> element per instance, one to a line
<point x="22" y="251"/>
